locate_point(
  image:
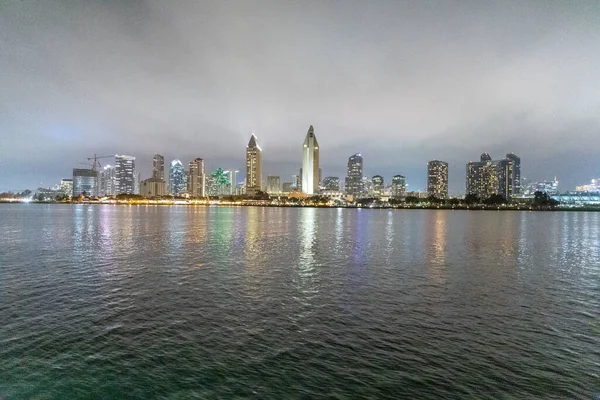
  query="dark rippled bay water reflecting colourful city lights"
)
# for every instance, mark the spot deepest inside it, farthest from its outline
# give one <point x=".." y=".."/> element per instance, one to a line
<point x="143" y="302"/>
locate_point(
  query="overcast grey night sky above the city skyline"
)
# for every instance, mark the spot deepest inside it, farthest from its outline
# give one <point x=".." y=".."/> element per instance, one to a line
<point x="401" y="82"/>
